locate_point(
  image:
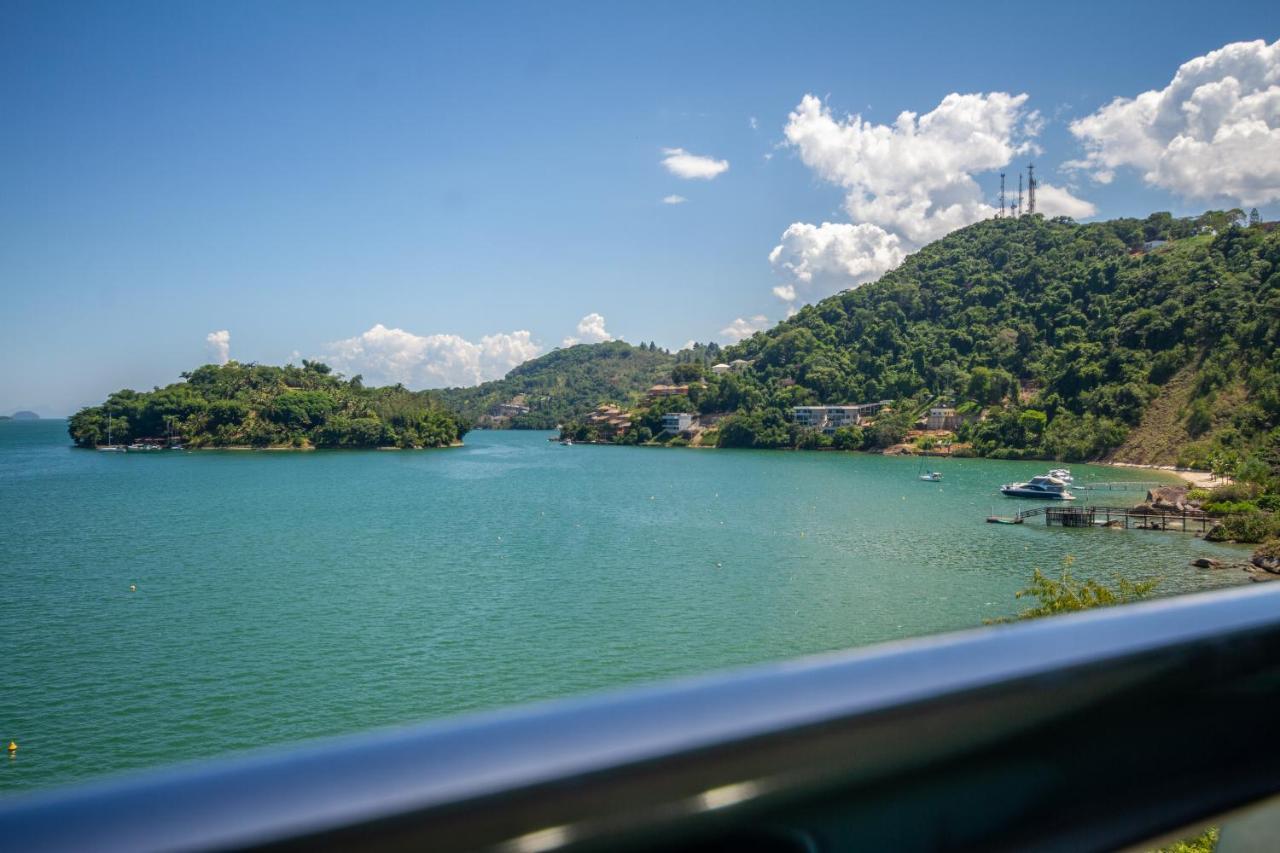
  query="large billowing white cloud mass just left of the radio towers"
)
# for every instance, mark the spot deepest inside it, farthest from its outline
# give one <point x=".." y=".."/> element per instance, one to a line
<point x="906" y="185"/>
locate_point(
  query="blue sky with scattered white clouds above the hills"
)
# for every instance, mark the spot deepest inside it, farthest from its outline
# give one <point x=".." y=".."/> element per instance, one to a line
<point x="436" y="193"/>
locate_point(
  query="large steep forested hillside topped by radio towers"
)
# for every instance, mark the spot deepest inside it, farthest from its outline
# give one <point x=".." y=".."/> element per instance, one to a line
<point x="1071" y="339"/>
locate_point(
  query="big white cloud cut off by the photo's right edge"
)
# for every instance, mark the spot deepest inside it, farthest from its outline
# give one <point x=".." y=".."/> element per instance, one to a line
<point x="1214" y="131"/>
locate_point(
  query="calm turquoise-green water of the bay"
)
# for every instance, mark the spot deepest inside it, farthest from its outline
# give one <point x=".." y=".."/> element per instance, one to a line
<point x="289" y="596"/>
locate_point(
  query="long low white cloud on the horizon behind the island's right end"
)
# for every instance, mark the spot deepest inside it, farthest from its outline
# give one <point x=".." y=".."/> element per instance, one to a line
<point x="386" y="355"/>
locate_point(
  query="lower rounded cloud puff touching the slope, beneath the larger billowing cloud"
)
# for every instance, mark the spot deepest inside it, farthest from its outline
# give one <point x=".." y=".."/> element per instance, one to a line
<point x="825" y="259"/>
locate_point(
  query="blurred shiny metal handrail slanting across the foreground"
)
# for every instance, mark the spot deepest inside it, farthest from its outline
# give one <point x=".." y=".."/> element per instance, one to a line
<point x="1084" y="732"/>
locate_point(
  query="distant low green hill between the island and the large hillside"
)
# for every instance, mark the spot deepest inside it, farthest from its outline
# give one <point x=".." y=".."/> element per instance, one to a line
<point x="568" y="384"/>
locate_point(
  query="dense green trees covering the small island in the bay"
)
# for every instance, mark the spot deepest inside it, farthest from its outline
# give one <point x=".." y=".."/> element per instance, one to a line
<point x="263" y="407"/>
